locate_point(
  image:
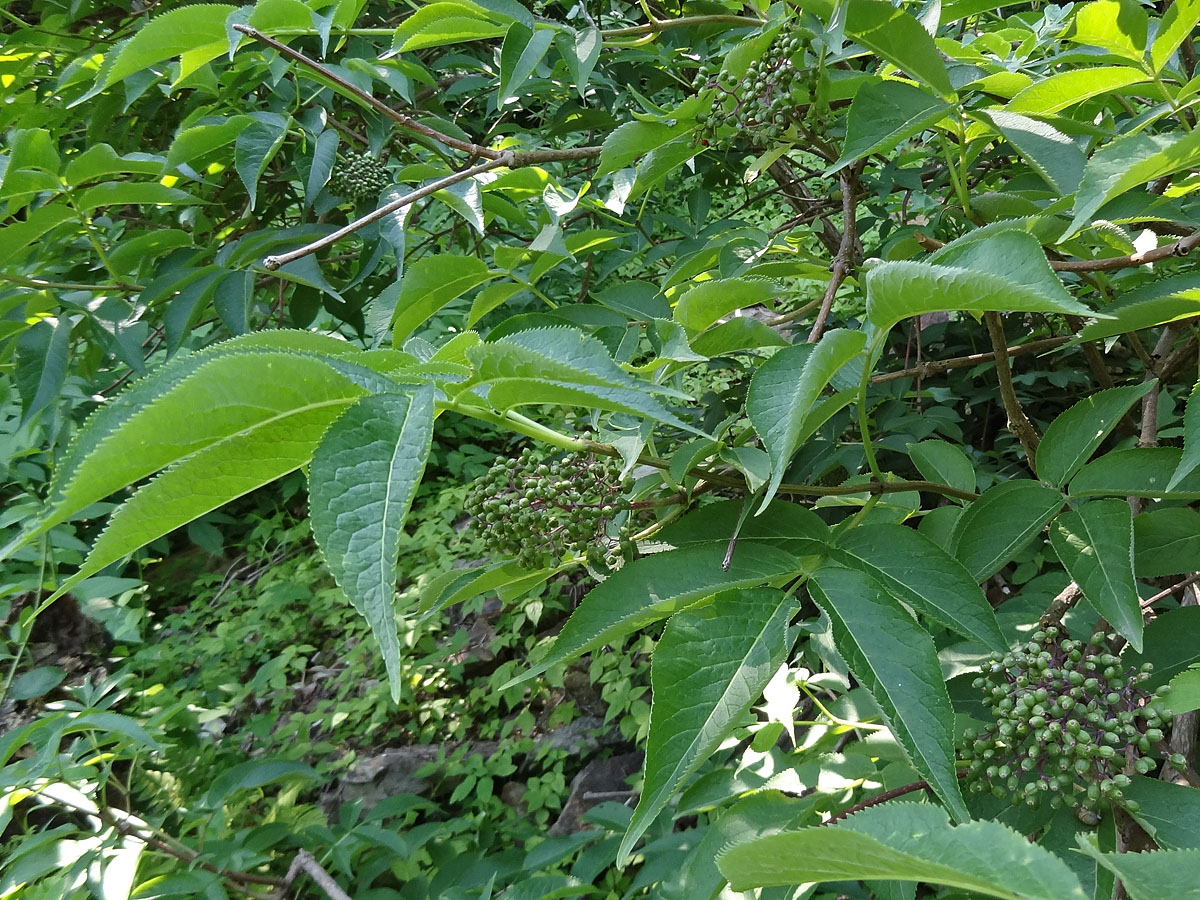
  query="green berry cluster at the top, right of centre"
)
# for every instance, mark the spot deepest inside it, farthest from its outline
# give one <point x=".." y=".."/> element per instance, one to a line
<point x="761" y="104"/>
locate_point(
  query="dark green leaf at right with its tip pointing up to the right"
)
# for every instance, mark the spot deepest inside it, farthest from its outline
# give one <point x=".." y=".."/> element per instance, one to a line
<point x="1073" y="437"/>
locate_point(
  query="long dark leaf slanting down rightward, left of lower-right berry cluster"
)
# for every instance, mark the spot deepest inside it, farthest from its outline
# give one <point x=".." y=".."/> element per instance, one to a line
<point x="896" y="661"/>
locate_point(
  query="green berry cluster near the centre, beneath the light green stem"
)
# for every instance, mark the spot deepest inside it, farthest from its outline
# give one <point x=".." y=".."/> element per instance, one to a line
<point x="538" y="511"/>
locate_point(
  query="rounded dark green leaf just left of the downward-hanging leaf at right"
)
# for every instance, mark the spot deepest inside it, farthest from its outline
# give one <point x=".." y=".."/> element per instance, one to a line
<point x="1001" y="524"/>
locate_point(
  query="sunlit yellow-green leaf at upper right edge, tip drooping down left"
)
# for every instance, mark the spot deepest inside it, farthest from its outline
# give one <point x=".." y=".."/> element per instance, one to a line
<point x="1127" y="164"/>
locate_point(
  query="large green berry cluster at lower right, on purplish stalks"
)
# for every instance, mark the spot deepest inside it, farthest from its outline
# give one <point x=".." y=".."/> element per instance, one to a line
<point x="1071" y="721"/>
